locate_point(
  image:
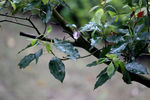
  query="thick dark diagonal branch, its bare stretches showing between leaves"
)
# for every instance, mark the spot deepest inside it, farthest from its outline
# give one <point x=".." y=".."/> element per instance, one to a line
<point x="81" y="42"/>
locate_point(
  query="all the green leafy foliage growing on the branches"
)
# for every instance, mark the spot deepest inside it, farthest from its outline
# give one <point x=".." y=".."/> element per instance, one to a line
<point x="121" y="25"/>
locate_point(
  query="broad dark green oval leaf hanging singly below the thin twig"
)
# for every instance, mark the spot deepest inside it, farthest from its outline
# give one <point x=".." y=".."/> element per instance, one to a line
<point x="57" y="68"/>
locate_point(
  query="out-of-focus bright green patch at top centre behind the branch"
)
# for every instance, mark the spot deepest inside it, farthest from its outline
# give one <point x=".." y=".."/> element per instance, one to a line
<point x="79" y="13"/>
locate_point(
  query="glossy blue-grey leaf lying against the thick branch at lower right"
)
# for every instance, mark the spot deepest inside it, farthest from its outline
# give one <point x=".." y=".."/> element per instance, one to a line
<point x="136" y="68"/>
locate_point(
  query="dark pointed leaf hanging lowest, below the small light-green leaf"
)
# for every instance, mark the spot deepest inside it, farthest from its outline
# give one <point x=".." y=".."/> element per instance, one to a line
<point x="101" y="80"/>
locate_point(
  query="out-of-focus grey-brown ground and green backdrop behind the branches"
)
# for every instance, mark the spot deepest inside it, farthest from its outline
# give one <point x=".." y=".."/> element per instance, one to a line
<point x="36" y="83"/>
